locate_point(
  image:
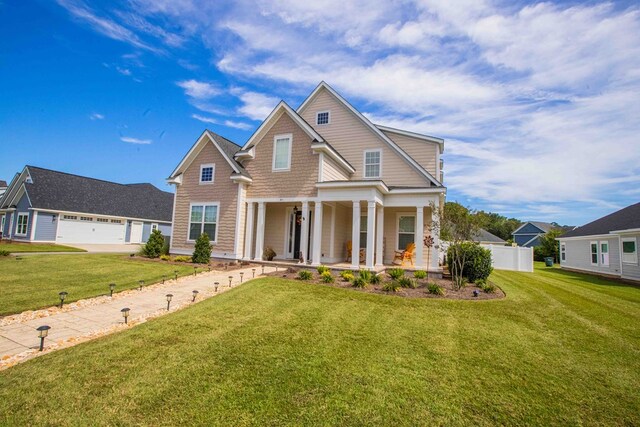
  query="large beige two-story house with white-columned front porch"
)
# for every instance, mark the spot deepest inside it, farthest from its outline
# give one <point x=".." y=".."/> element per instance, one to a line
<point x="307" y="182"/>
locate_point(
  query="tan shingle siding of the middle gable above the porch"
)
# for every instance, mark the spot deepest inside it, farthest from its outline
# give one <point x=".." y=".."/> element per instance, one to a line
<point x="299" y="181"/>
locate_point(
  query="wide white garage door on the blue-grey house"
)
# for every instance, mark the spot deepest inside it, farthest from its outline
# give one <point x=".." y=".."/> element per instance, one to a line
<point x="72" y="230"/>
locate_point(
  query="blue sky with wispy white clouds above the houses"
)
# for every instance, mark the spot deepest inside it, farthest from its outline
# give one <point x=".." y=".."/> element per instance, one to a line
<point x="539" y="103"/>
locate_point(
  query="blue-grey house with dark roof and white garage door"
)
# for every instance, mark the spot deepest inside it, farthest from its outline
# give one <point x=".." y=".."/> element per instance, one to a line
<point x="41" y="205"/>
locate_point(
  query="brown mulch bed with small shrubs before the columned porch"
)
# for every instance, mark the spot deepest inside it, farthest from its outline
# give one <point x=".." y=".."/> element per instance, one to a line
<point x="419" y="292"/>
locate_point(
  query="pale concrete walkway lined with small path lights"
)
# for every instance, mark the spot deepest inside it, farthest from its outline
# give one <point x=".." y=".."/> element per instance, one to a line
<point x="93" y="320"/>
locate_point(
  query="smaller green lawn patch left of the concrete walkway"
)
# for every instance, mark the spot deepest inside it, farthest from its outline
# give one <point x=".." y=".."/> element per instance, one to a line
<point x="34" y="281"/>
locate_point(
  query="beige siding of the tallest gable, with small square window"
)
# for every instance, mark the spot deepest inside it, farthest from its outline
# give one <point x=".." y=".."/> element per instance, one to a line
<point x="350" y="137"/>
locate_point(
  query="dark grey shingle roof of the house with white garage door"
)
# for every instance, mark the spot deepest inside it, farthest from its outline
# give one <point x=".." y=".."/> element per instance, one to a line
<point x="66" y="192"/>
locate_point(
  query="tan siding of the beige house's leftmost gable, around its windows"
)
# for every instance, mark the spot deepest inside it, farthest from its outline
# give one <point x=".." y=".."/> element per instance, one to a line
<point x="223" y="190"/>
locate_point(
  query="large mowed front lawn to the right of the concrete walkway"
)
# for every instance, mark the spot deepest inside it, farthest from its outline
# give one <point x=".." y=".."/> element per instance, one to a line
<point x="561" y="349"/>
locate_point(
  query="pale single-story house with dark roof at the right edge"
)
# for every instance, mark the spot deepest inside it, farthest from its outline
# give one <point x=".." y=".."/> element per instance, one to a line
<point x="607" y="246"/>
